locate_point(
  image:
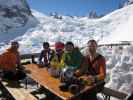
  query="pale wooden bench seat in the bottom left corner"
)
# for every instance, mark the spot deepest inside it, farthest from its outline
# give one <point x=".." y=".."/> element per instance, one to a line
<point x="18" y="93"/>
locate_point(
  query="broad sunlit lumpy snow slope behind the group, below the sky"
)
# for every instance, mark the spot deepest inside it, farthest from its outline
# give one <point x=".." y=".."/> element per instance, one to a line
<point x="116" y="26"/>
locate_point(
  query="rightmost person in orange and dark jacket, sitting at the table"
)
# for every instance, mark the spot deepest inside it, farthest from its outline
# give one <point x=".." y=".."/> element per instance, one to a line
<point x="94" y="68"/>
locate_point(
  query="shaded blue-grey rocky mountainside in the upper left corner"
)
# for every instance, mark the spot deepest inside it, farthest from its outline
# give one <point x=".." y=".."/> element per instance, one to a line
<point x="15" y="19"/>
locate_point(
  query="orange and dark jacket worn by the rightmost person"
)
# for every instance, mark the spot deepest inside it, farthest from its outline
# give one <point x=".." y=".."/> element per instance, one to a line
<point x="97" y="67"/>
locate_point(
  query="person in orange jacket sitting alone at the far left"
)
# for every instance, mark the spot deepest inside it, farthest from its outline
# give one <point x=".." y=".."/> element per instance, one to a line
<point x="10" y="63"/>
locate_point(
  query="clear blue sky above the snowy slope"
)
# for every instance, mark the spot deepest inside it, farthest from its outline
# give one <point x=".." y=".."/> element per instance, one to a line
<point x="74" y="7"/>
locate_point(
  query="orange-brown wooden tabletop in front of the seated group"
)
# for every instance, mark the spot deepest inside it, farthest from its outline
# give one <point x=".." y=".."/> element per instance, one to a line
<point x="41" y="76"/>
